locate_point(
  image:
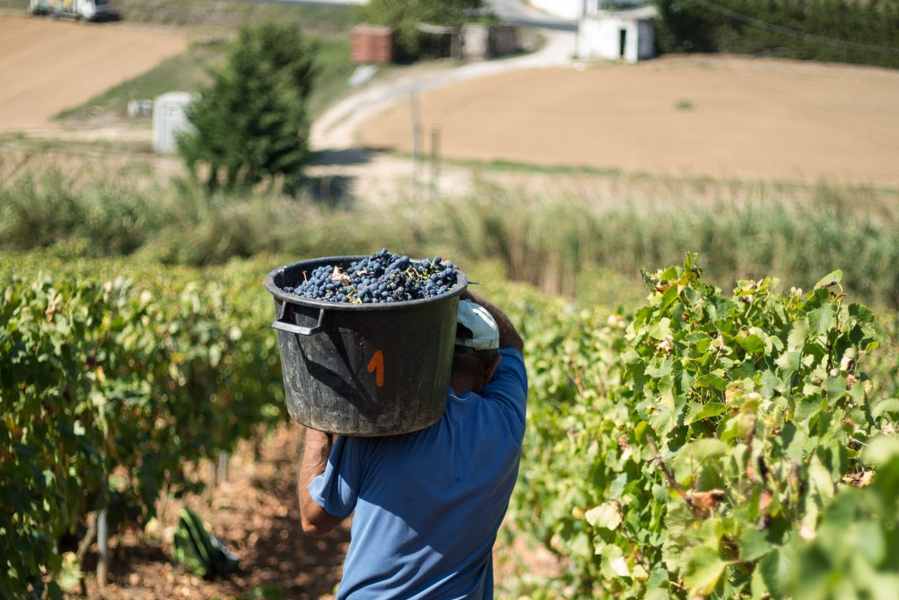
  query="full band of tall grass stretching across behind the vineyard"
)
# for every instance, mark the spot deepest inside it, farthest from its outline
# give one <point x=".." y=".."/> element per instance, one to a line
<point x="559" y="244"/>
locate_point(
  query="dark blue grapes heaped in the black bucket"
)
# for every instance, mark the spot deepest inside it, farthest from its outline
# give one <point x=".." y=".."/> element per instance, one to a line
<point x="379" y="278"/>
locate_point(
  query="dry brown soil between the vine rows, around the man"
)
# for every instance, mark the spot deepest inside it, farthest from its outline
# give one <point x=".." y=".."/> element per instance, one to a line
<point x="255" y="513"/>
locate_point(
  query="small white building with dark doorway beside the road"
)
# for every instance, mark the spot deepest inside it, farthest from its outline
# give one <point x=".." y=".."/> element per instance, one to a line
<point x="626" y="35"/>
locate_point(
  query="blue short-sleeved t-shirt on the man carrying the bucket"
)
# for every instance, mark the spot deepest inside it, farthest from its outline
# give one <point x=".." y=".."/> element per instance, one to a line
<point x="428" y="504"/>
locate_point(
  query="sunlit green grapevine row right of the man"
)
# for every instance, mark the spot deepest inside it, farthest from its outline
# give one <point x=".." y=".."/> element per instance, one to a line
<point x="686" y="450"/>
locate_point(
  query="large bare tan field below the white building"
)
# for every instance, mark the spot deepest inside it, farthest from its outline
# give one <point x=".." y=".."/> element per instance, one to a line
<point x="718" y="116"/>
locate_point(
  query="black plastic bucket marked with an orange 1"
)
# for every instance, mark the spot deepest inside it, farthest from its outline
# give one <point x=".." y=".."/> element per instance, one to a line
<point x="363" y="369"/>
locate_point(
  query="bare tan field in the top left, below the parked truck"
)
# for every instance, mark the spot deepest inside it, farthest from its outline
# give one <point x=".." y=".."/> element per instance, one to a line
<point x="47" y="66"/>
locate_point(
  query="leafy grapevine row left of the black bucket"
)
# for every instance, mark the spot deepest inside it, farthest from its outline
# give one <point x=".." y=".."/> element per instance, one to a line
<point x="112" y="392"/>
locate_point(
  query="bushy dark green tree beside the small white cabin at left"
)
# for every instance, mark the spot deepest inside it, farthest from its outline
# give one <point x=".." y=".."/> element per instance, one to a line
<point x="251" y="124"/>
